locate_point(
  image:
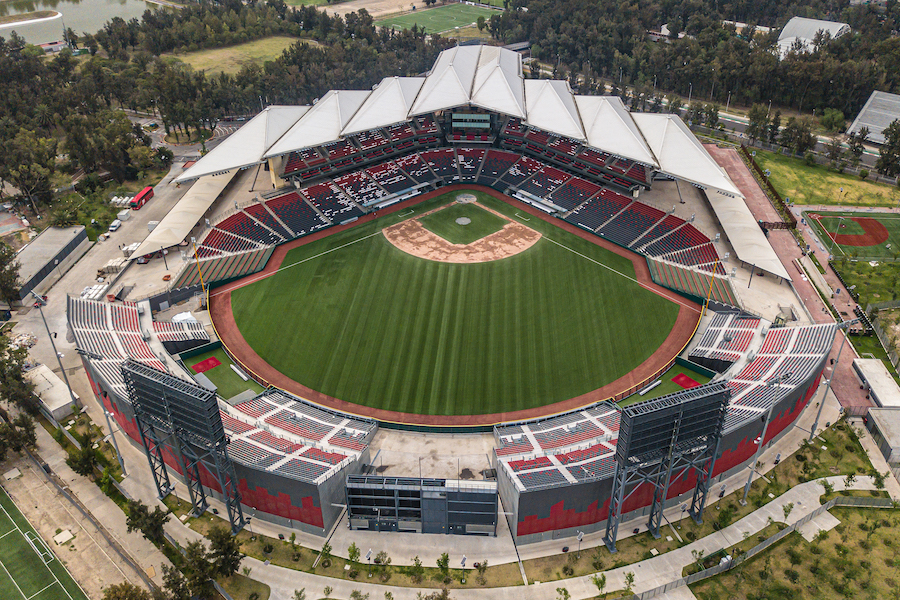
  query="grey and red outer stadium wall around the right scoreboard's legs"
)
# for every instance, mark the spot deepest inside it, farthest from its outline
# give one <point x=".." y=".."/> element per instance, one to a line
<point x="557" y="512"/>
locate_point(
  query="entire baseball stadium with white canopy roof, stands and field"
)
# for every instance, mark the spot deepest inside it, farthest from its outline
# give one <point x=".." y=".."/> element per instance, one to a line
<point x="355" y="295"/>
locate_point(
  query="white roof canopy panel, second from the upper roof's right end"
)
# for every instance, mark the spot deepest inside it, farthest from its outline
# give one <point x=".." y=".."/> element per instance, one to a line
<point x="609" y="127"/>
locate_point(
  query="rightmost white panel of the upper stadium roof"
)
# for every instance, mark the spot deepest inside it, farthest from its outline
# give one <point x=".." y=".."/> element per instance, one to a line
<point x="680" y="154"/>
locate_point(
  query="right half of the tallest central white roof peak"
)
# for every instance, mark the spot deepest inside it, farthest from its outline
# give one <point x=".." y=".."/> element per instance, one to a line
<point x="499" y="85"/>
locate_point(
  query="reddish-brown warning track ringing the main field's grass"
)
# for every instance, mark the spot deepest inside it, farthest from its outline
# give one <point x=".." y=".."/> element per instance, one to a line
<point x="246" y="356"/>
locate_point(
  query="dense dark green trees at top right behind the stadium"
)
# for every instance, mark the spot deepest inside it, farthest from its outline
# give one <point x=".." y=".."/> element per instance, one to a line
<point x="713" y="62"/>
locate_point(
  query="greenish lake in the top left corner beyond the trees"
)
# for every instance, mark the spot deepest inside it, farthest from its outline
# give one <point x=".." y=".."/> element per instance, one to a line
<point x="81" y="15"/>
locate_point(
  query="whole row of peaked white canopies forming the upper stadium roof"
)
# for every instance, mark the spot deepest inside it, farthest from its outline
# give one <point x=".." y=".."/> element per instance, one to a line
<point x="481" y="76"/>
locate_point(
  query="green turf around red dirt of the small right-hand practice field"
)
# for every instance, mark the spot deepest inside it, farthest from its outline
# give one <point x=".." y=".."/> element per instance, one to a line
<point x="829" y="223"/>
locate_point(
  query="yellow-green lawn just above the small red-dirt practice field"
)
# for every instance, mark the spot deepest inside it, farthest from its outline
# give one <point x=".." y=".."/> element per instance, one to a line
<point x="804" y="184"/>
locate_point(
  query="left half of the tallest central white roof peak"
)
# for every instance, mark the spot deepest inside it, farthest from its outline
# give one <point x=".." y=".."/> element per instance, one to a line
<point x="449" y="82"/>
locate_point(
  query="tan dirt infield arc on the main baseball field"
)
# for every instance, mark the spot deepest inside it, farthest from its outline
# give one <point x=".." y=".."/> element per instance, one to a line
<point x="411" y="237"/>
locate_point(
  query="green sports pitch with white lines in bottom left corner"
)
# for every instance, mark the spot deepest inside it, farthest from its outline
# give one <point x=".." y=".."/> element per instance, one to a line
<point x="28" y="569"/>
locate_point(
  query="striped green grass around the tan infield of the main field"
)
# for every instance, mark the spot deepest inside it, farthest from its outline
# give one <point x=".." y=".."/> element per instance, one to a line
<point x="356" y="318"/>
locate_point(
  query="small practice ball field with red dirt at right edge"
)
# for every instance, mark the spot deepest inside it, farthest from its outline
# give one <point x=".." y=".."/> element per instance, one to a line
<point x="858" y="234"/>
